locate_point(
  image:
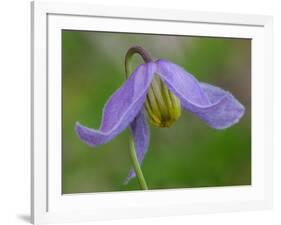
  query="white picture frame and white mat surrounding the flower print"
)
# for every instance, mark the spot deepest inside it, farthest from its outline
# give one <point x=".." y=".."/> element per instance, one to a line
<point x="48" y="205"/>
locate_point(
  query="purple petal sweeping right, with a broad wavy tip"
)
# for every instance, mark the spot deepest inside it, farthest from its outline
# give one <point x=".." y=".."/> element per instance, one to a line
<point x="213" y="105"/>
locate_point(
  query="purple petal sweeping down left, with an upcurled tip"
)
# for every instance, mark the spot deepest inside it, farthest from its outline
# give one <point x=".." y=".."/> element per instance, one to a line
<point x="122" y="107"/>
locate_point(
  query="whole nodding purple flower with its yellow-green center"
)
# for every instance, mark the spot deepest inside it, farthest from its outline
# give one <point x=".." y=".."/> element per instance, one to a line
<point x="159" y="90"/>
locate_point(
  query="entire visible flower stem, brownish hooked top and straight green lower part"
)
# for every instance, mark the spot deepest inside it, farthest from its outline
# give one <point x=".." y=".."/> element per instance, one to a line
<point x="133" y="155"/>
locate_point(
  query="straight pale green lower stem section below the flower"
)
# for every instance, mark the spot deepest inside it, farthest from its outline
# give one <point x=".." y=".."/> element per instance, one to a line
<point x="136" y="166"/>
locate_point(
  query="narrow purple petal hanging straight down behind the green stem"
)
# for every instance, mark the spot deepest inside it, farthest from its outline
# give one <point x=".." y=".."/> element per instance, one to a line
<point x="140" y="132"/>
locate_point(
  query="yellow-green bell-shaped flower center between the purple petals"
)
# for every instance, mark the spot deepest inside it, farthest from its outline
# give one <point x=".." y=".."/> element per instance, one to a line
<point x="162" y="107"/>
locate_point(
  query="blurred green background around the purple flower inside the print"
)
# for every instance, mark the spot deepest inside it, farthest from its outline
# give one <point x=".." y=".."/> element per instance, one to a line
<point x="189" y="154"/>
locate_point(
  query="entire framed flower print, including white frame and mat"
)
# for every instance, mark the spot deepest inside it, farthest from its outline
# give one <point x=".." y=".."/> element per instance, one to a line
<point x="147" y="112"/>
